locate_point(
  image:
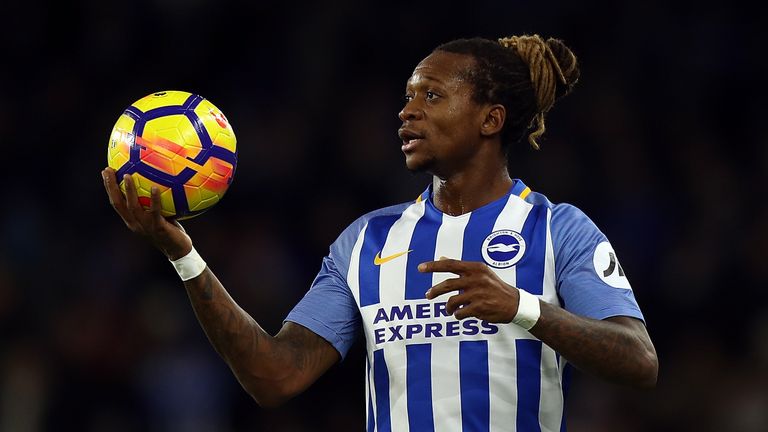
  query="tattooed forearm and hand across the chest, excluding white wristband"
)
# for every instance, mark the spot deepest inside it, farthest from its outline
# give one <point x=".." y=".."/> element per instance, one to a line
<point x="618" y="348"/>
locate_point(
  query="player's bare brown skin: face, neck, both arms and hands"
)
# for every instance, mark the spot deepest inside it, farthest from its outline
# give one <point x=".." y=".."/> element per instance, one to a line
<point x="458" y="141"/>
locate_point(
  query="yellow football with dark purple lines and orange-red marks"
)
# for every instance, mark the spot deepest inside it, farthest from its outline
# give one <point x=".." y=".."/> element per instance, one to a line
<point x="179" y="142"/>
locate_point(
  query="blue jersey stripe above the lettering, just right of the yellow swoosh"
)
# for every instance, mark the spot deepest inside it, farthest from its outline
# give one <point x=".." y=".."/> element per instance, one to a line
<point x="422" y="245"/>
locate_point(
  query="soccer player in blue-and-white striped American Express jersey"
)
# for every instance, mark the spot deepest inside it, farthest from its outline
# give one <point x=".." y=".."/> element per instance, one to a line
<point x="474" y="297"/>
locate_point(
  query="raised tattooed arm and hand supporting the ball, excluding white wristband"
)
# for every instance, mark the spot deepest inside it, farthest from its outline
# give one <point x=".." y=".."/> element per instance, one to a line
<point x="271" y="369"/>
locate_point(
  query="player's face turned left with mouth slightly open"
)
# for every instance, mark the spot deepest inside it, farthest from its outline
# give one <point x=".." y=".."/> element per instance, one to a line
<point x="441" y="122"/>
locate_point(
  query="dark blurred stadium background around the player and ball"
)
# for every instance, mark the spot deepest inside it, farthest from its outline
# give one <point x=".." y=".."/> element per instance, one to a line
<point x="663" y="144"/>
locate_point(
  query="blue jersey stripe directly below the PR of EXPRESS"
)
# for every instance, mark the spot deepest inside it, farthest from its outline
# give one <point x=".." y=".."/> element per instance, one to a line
<point x="419" y="382"/>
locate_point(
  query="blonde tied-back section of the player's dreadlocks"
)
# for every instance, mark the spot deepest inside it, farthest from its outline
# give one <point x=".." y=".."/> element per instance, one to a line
<point x="546" y="73"/>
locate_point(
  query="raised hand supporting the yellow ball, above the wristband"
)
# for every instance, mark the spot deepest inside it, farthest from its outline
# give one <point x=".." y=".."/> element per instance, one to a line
<point x="166" y="234"/>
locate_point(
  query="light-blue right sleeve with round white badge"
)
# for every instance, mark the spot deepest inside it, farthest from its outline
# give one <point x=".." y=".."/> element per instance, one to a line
<point x="590" y="279"/>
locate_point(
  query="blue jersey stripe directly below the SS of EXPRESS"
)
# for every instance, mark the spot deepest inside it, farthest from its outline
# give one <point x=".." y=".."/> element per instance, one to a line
<point x="475" y="387"/>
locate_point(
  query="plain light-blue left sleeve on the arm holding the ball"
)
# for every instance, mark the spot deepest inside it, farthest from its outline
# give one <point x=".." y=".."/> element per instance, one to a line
<point x="329" y="309"/>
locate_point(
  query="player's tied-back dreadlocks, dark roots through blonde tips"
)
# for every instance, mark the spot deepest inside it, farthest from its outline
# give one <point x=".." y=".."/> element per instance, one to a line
<point x="524" y="73"/>
